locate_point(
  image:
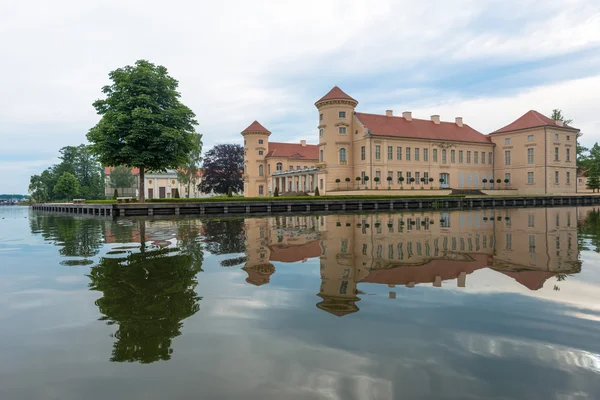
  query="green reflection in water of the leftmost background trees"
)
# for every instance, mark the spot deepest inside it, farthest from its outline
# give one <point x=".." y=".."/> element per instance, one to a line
<point x="76" y="237"/>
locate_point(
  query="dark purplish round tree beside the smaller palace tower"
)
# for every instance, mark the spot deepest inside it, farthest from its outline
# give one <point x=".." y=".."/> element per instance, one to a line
<point x="222" y="169"/>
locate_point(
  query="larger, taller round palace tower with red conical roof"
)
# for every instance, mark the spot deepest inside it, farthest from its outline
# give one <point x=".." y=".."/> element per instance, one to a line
<point x="336" y="127"/>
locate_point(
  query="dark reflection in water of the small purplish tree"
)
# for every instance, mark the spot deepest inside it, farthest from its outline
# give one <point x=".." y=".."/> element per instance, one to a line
<point x="224" y="236"/>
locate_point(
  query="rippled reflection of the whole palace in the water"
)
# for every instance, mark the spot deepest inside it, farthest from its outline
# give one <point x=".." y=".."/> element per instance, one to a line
<point x="408" y="249"/>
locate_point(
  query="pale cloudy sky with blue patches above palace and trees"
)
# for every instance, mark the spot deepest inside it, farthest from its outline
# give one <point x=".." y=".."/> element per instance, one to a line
<point x="240" y="61"/>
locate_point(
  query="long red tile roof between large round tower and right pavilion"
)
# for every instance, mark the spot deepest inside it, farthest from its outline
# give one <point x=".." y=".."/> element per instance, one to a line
<point x="382" y="125"/>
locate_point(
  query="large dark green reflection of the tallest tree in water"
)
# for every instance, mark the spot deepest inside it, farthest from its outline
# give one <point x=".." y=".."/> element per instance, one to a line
<point x="149" y="294"/>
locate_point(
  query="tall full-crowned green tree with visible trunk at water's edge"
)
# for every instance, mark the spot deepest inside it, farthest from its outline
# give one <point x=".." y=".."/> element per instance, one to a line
<point x="143" y="123"/>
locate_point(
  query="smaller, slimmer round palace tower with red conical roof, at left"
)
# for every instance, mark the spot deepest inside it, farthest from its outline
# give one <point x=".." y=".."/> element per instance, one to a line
<point x="256" y="147"/>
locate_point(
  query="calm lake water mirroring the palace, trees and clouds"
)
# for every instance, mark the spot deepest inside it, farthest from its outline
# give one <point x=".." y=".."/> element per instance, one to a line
<point x="461" y="305"/>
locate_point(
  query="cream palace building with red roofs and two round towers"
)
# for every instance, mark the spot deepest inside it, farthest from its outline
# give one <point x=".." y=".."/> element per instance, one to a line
<point x="532" y="155"/>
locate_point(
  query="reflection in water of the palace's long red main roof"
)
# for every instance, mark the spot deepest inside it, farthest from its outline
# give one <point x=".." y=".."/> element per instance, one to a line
<point x="426" y="273"/>
